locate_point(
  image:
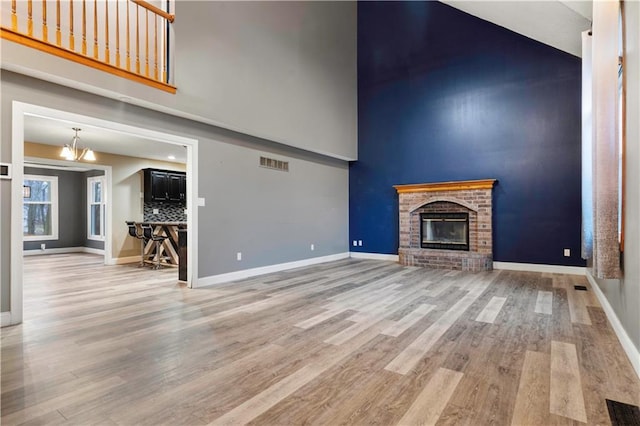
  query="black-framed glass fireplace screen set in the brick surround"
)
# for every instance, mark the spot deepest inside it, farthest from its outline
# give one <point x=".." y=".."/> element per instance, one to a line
<point x="449" y="231"/>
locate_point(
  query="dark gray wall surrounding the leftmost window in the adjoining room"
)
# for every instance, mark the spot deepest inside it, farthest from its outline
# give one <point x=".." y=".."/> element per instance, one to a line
<point x="72" y="213"/>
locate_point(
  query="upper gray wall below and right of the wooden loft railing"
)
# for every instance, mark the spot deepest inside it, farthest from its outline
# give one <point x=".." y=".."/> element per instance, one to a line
<point x="284" y="71"/>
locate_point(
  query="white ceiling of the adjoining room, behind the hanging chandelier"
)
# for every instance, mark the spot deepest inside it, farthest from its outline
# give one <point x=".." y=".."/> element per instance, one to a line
<point x="53" y="132"/>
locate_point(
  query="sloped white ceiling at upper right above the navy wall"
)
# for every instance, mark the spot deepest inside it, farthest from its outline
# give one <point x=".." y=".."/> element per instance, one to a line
<point x="556" y="23"/>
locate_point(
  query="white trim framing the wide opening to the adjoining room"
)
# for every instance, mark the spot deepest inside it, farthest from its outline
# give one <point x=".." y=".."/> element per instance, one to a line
<point x="19" y="110"/>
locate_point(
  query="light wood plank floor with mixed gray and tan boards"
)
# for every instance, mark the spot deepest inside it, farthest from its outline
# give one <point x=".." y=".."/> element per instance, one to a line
<point x="347" y="342"/>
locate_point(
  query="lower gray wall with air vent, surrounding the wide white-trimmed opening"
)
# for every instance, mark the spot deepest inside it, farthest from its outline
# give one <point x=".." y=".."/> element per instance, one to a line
<point x="270" y="216"/>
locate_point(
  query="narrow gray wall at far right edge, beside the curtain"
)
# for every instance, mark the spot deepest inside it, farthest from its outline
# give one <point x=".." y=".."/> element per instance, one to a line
<point x="624" y="294"/>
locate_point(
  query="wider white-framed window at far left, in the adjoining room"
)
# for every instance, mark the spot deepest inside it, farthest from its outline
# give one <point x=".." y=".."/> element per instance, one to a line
<point x="40" y="210"/>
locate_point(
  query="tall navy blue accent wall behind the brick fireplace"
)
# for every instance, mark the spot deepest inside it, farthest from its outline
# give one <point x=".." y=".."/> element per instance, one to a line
<point x="445" y="96"/>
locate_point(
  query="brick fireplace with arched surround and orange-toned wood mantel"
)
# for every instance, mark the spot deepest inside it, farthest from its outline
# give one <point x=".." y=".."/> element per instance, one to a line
<point x="472" y="199"/>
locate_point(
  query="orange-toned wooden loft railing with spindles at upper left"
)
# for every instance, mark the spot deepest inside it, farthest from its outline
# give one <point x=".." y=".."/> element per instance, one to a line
<point x="128" y="38"/>
